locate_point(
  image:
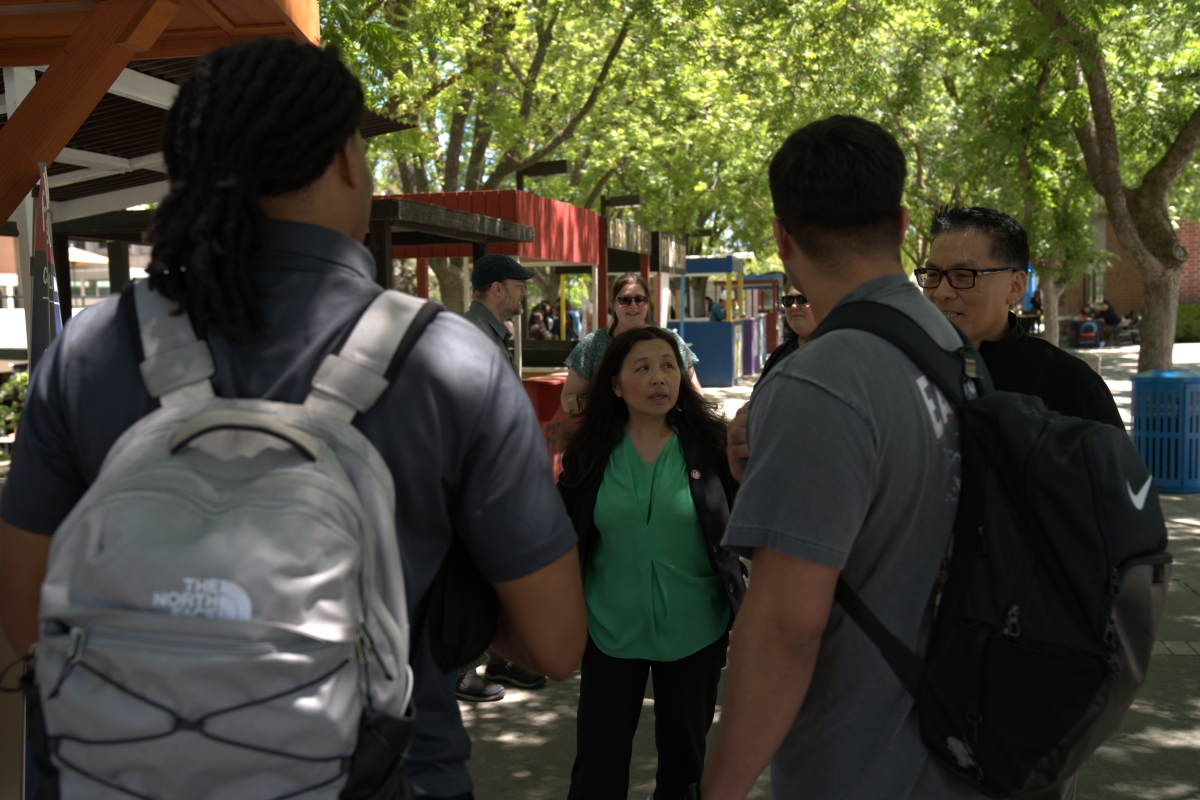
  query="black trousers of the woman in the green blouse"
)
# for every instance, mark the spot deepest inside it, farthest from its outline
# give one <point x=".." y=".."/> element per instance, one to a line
<point x="611" y="693"/>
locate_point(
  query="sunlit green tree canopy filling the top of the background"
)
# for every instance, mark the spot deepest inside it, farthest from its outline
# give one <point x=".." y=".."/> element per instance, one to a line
<point x="1052" y="111"/>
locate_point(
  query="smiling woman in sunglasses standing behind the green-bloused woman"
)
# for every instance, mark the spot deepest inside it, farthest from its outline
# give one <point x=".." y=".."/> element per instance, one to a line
<point x="629" y="306"/>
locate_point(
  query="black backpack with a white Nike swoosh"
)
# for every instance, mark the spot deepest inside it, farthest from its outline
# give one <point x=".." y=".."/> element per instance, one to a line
<point x="1058" y="579"/>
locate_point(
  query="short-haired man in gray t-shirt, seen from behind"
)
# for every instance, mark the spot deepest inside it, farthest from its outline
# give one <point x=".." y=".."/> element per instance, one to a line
<point x="872" y="497"/>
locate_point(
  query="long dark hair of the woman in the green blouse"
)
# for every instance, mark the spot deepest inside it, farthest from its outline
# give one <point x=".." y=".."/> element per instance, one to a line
<point x="602" y="422"/>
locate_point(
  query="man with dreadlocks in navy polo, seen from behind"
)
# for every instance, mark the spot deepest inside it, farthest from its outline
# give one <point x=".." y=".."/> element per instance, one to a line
<point x="260" y="244"/>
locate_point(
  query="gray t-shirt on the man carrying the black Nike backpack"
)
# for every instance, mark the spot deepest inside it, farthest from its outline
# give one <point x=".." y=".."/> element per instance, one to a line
<point x="855" y="465"/>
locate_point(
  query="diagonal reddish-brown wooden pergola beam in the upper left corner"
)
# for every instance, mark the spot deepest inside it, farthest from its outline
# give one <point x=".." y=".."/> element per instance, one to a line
<point x="77" y="79"/>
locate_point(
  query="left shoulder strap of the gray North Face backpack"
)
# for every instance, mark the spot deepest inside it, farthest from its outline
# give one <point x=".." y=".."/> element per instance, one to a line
<point x="176" y="366"/>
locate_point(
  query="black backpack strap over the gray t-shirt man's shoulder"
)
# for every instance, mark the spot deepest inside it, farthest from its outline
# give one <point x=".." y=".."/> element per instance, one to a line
<point x="959" y="374"/>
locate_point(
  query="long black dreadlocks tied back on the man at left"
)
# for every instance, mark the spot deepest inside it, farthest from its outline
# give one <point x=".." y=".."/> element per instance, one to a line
<point x="255" y="121"/>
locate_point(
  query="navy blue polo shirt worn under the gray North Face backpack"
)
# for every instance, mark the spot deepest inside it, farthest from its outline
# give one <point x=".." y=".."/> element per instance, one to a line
<point x="457" y="429"/>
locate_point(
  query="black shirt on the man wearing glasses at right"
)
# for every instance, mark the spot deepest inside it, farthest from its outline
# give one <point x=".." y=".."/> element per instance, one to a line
<point x="1021" y="363"/>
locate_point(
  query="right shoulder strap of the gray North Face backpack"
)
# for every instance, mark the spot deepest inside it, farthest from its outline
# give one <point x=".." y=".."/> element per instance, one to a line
<point x="350" y="382"/>
